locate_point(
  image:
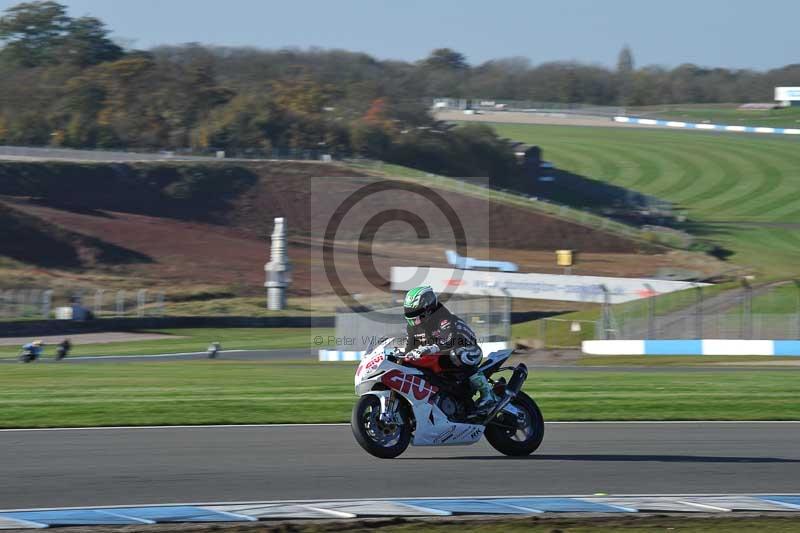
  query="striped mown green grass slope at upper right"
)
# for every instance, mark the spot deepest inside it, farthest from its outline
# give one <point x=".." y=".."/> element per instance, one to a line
<point x="742" y="192"/>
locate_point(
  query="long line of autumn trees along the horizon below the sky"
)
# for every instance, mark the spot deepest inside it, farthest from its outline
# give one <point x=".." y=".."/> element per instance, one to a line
<point x="65" y="82"/>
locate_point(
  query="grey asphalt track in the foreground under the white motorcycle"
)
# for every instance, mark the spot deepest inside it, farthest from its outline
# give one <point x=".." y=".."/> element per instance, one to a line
<point x="50" y="468"/>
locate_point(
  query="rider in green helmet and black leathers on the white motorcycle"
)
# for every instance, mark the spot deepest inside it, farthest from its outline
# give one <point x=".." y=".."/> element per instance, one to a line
<point x="432" y="329"/>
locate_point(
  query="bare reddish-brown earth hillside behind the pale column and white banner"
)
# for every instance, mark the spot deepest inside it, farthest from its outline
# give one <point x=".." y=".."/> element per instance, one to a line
<point x="206" y="224"/>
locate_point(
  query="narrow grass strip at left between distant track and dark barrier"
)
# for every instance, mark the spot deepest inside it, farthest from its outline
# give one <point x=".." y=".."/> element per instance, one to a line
<point x="194" y="340"/>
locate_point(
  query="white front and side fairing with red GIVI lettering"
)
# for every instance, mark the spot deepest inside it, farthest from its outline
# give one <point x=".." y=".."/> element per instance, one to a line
<point x="433" y="428"/>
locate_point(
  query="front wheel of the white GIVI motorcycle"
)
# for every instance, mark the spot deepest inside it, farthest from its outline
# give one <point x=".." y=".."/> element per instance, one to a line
<point x="385" y="441"/>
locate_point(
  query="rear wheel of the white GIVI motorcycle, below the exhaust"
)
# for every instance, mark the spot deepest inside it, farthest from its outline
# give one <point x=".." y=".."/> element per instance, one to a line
<point x="517" y="437"/>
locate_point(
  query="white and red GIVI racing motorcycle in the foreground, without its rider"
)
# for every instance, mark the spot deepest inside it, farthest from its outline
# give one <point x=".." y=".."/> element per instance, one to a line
<point x="401" y="404"/>
